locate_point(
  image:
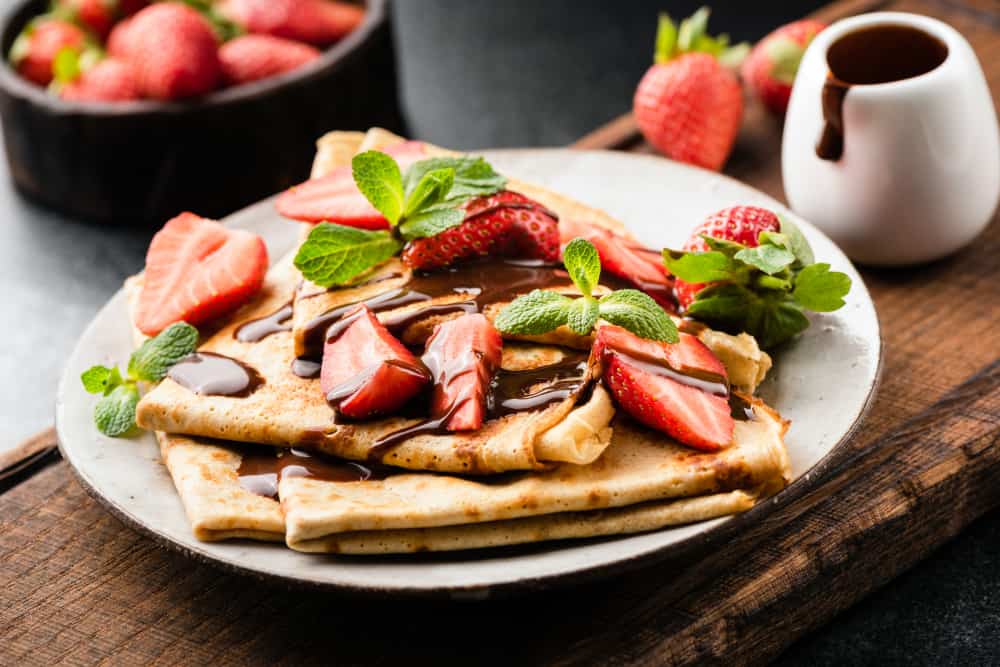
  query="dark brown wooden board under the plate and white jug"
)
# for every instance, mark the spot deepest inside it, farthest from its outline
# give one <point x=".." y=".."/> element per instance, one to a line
<point x="80" y="589"/>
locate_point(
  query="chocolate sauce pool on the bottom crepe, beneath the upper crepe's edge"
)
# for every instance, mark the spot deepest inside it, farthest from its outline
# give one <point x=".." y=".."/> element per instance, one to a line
<point x="262" y="468"/>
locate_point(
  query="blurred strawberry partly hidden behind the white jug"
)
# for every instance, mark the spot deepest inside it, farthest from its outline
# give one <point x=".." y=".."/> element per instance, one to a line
<point x="770" y="68"/>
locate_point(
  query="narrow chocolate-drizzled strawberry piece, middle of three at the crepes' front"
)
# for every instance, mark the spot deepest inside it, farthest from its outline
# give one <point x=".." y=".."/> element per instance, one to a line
<point x="463" y="355"/>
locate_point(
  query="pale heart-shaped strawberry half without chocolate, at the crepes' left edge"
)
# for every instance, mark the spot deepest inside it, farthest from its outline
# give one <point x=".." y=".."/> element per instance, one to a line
<point x="196" y="270"/>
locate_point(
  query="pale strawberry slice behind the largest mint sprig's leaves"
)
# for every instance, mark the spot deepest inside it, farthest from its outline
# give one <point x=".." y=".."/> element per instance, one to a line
<point x="336" y="198"/>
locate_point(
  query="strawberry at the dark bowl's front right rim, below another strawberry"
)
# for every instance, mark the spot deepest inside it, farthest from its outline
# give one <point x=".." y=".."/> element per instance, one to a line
<point x="253" y="57"/>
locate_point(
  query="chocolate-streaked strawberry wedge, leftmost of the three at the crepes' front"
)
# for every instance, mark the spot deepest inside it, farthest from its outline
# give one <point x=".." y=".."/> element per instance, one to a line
<point x="366" y="370"/>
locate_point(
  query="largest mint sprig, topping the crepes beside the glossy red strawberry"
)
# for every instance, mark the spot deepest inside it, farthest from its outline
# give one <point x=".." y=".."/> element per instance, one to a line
<point x="424" y="201"/>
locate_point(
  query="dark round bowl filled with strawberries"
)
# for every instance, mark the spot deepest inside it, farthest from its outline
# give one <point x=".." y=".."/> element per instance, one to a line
<point x="129" y="111"/>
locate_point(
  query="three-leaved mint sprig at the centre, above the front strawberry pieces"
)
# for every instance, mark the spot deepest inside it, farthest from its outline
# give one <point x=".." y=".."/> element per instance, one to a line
<point x="542" y="311"/>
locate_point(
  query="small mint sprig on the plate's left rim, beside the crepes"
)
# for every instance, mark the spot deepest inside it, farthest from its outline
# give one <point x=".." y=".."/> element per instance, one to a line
<point x="114" y="413"/>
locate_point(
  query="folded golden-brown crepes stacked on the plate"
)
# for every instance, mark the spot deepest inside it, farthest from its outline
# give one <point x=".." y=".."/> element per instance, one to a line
<point x="573" y="469"/>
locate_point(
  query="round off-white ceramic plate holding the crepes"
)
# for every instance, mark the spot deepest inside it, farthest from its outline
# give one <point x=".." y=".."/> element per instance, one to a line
<point x="823" y="382"/>
